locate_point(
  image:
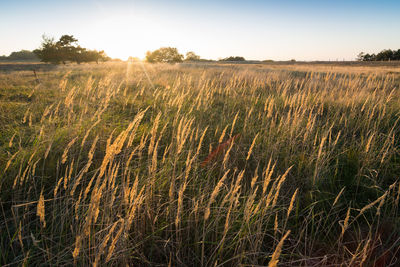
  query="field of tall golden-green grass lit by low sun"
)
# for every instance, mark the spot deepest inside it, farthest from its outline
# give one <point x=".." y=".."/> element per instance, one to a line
<point x="200" y="165"/>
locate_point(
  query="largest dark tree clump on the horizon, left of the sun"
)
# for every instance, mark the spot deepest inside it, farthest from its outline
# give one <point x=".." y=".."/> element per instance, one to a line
<point x="67" y="50"/>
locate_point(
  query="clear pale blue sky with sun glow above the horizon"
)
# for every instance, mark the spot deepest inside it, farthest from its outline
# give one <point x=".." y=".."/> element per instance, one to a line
<point x="257" y="30"/>
